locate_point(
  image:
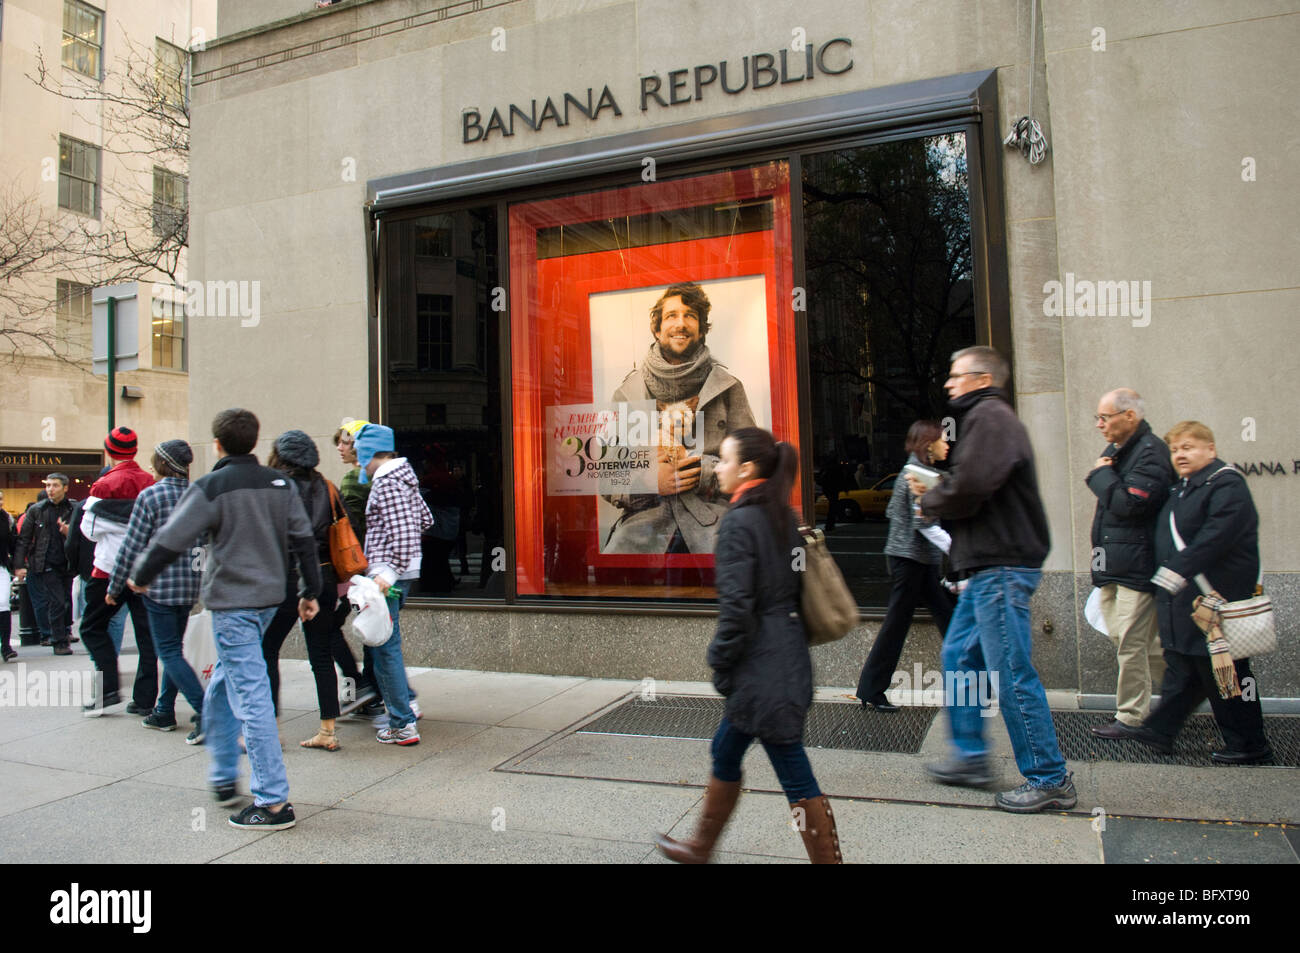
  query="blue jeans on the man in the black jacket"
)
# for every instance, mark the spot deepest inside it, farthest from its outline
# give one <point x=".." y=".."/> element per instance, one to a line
<point x="991" y="633"/>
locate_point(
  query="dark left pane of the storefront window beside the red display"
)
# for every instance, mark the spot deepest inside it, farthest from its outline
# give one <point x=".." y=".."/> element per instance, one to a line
<point x="444" y="392"/>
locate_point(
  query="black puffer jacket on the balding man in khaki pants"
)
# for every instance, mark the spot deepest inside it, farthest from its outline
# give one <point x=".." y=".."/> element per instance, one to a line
<point x="1130" y="496"/>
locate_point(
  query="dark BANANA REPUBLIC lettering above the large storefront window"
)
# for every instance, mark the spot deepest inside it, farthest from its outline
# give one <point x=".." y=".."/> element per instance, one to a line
<point x="801" y="63"/>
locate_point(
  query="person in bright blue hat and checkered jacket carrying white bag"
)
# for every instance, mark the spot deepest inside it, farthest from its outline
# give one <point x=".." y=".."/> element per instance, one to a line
<point x="396" y="517"/>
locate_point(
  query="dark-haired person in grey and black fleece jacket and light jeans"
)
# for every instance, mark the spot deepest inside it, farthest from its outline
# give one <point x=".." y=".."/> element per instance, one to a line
<point x="255" y="526"/>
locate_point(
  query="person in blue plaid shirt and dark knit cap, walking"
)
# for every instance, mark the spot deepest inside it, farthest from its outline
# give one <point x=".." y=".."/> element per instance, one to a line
<point x="175" y="591"/>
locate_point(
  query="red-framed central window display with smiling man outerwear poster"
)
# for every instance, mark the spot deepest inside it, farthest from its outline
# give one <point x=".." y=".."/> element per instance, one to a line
<point x="647" y="323"/>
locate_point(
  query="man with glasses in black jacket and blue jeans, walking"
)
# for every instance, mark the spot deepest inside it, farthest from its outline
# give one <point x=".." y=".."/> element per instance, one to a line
<point x="990" y="505"/>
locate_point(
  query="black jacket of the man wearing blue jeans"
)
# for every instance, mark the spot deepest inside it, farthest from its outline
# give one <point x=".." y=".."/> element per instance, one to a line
<point x="990" y="504"/>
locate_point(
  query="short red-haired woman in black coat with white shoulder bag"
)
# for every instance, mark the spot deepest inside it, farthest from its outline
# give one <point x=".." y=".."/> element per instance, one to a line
<point x="1220" y="527"/>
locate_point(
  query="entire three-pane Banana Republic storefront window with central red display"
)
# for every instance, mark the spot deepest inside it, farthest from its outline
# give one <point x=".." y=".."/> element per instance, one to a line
<point x="562" y="366"/>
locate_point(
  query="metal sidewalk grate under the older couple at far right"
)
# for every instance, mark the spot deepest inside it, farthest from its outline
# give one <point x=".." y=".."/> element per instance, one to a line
<point x="1191" y="748"/>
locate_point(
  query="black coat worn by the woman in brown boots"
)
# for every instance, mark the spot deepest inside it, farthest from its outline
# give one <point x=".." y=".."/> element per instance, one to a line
<point x="760" y="653"/>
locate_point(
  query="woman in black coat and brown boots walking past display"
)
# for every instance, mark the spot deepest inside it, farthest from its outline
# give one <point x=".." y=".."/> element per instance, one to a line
<point x="760" y="653"/>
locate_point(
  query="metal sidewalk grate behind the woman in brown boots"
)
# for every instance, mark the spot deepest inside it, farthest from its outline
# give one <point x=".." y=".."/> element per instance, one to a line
<point x="830" y="725"/>
